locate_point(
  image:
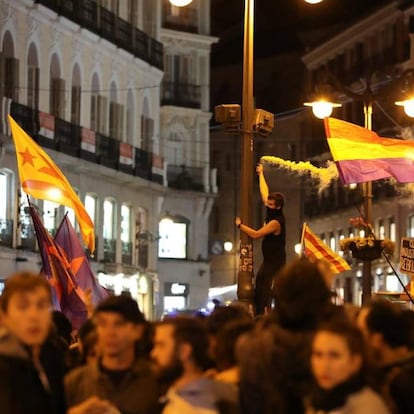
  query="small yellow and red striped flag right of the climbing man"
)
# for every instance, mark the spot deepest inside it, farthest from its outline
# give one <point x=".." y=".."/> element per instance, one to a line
<point x="315" y="248"/>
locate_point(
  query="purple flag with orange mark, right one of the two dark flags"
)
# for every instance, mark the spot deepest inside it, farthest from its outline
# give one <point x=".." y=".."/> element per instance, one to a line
<point x="68" y="240"/>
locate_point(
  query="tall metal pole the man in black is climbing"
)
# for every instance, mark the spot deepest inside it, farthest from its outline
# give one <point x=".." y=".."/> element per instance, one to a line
<point x="245" y="274"/>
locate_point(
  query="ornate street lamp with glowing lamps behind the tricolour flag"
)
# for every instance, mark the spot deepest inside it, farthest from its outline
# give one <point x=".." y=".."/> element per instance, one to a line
<point x="367" y="96"/>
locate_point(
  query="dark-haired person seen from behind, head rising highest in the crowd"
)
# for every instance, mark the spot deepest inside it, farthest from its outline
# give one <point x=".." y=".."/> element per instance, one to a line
<point x="274" y="358"/>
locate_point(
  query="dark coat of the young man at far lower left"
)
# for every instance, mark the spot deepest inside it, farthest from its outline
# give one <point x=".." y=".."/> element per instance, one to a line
<point x="21" y="388"/>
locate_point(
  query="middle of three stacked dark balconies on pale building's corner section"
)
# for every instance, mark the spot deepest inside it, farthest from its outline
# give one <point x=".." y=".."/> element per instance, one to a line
<point x="180" y="94"/>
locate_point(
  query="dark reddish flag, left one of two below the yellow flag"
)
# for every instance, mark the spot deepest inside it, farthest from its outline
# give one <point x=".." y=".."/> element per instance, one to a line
<point x="68" y="296"/>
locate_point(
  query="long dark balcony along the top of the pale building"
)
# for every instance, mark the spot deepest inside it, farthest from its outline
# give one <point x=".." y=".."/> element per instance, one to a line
<point x="104" y="23"/>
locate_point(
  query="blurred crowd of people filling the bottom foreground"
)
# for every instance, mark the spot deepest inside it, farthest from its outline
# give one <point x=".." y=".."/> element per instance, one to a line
<point x="307" y="355"/>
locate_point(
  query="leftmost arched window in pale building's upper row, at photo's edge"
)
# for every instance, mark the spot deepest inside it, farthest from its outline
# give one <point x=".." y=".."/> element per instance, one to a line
<point x="9" y="69"/>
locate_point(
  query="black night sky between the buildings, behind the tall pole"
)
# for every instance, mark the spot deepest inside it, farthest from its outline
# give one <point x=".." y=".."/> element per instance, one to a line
<point x="283" y="28"/>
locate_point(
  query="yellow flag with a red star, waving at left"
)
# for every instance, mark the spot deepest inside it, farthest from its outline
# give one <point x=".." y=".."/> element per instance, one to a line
<point x="41" y="178"/>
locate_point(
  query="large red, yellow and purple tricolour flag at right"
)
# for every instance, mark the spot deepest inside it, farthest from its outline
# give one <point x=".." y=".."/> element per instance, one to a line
<point x="361" y="155"/>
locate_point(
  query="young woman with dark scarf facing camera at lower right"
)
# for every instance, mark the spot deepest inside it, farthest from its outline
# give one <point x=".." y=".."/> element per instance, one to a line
<point x="339" y="366"/>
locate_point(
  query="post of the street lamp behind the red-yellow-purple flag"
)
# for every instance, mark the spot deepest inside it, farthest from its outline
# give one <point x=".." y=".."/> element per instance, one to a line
<point x="367" y="198"/>
